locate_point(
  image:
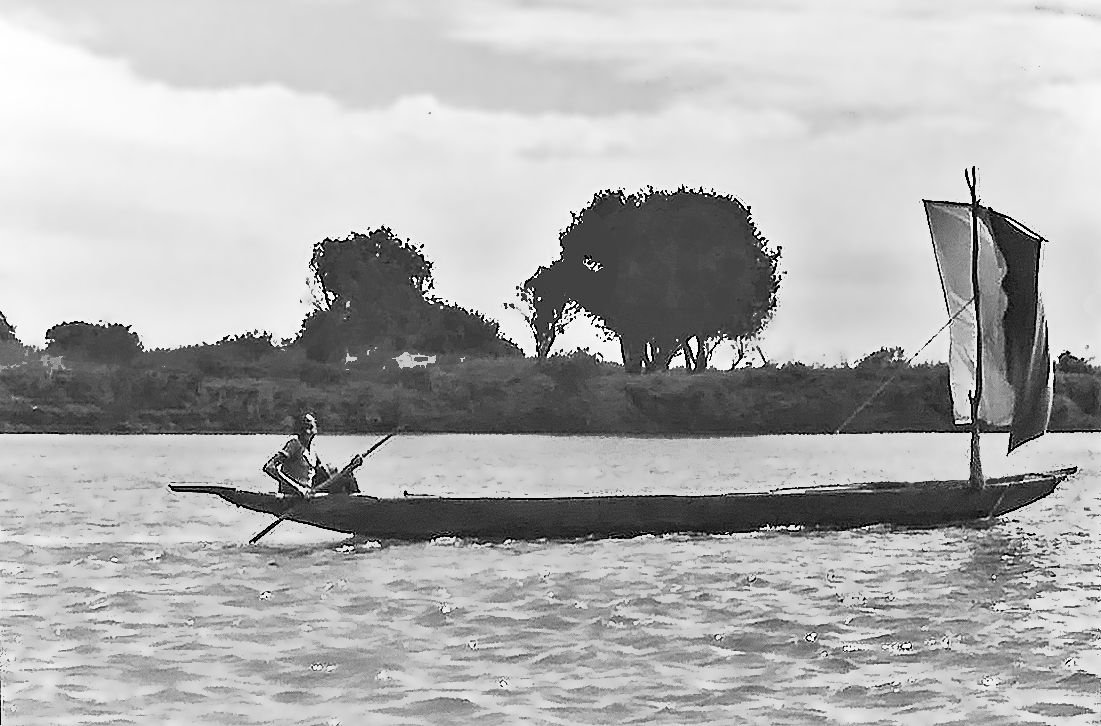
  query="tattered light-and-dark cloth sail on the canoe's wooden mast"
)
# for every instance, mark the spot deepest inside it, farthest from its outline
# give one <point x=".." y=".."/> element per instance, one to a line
<point x="1017" y="382"/>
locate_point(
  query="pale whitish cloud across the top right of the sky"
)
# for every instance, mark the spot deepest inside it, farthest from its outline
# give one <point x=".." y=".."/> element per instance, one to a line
<point x="822" y="61"/>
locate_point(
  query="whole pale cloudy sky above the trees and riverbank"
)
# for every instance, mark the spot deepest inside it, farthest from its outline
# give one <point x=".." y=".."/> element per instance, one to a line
<point x="169" y="166"/>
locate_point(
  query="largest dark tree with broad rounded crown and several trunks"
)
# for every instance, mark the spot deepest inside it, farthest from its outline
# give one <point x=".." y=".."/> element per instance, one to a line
<point x="669" y="273"/>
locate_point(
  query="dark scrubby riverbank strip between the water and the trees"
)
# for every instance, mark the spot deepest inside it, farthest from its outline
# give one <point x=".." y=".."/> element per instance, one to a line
<point x="574" y="395"/>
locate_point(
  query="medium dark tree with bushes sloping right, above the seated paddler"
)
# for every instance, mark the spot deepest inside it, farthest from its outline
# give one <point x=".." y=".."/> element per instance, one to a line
<point x="374" y="291"/>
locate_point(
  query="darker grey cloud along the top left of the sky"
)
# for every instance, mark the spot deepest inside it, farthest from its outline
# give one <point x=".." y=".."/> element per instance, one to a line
<point x="362" y="55"/>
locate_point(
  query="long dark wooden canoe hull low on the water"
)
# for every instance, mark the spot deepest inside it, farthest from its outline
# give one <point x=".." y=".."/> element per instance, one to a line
<point x="923" y="504"/>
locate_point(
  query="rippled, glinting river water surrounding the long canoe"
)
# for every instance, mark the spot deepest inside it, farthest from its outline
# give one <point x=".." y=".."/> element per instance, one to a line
<point x="124" y="603"/>
